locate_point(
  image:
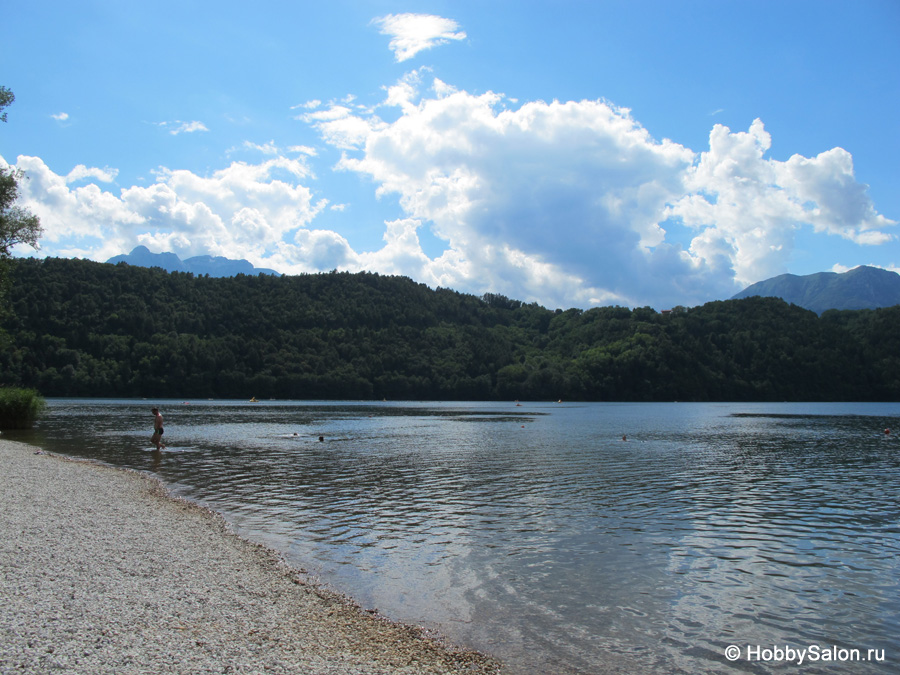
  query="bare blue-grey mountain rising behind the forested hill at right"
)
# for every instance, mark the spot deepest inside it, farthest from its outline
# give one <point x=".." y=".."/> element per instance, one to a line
<point x="860" y="288"/>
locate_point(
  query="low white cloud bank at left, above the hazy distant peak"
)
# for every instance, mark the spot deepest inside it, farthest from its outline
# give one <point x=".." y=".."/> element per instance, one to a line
<point x="242" y="211"/>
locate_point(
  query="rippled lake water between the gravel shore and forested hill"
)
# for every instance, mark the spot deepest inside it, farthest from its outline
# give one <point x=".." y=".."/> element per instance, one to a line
<point x="536" y="533"/>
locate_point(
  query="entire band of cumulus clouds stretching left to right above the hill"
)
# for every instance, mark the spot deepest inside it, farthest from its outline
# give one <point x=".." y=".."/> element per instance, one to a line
<point x="564" y="203"/>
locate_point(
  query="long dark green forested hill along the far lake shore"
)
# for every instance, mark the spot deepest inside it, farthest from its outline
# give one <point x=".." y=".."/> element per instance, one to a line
<point x="79" y="328"/>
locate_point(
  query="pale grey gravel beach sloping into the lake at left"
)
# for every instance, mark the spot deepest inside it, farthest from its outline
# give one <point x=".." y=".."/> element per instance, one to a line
<point x="101" y="571"/>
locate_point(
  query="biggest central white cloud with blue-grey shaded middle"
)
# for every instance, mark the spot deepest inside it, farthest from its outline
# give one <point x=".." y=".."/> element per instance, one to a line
<point x="533" y="202"/>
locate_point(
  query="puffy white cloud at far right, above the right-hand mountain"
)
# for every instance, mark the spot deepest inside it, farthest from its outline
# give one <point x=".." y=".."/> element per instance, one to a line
<point x="748" y="208"/>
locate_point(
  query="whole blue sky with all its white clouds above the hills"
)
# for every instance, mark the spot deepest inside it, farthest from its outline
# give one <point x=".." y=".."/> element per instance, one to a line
<point x="574" y="154"/>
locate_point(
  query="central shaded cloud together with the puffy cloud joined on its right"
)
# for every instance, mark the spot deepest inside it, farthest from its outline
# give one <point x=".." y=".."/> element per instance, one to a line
<point x="569" y="203"/>
